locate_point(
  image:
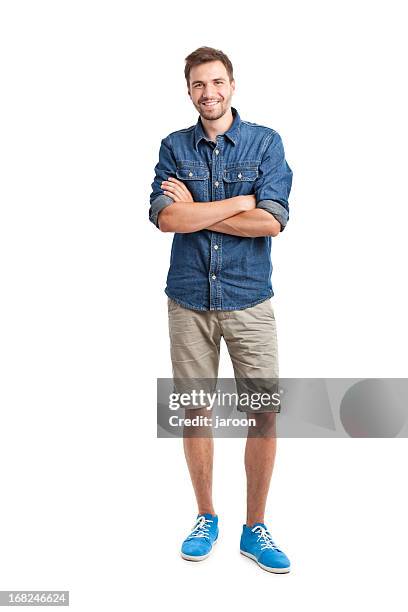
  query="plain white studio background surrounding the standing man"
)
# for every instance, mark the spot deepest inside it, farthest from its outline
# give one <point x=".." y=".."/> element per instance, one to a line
<point x="90" y="500"/>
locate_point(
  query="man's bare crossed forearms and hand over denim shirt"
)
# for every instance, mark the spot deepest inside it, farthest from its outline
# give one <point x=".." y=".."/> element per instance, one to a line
<point x="237" y="216"/>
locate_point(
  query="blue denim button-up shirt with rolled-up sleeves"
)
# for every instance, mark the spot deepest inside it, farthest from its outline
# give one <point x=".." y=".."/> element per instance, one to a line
<point x="211" y="270"/>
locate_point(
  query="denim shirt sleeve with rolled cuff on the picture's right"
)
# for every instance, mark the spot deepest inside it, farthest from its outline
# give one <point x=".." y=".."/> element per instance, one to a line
<point x="273" y="185"/>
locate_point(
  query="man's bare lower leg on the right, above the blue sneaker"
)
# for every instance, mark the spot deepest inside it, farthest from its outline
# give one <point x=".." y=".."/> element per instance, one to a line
<point x="260" y="453"/>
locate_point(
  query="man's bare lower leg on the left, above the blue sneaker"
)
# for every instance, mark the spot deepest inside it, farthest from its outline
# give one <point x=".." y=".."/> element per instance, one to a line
<point x="199" y="449"/>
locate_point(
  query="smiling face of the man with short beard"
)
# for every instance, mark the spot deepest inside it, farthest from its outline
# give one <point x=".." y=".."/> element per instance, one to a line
<point x="211" y="90"/>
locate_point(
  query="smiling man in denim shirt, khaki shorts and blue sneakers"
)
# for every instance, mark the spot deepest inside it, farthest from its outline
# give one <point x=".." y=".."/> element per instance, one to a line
<point x="222" y="186"/>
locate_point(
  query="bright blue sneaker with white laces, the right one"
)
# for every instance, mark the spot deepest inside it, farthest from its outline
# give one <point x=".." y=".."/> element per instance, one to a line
<point x="257" y="544"/>
